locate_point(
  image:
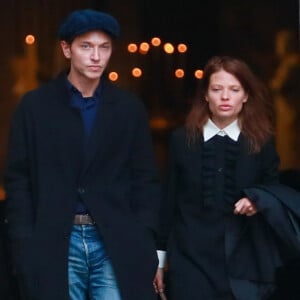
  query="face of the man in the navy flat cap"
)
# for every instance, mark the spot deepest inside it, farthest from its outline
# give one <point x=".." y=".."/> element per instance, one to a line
<point x="89" y="55"/>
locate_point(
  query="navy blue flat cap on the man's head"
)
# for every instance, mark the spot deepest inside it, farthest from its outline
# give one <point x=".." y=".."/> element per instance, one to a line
<point x="82" y="21"/>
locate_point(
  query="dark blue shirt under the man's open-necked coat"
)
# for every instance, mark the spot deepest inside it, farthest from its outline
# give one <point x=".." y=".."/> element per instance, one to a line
<point x="87" y="107"/>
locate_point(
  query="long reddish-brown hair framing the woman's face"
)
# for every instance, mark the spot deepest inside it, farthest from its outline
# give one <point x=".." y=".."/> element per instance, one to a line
<point x="256" y="117"/>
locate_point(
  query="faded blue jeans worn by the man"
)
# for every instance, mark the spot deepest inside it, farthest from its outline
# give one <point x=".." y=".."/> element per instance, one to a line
<point x="91" y="275"/>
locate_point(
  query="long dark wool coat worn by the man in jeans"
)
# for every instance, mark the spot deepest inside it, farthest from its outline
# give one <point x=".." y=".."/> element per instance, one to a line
<point x="47" y="170"/>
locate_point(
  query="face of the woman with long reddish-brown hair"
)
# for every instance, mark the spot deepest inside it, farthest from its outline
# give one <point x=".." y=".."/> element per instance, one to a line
<point x="225" y="97"/>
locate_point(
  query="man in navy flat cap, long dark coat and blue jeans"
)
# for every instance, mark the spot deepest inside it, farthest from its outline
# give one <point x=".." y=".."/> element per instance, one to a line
<point x="81" y="183"/>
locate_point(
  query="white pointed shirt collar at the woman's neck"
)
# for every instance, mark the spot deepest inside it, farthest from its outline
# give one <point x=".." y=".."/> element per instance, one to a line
<point x="210" y="130"/>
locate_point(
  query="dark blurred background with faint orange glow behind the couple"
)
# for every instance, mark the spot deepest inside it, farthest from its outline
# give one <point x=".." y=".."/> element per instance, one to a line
<point x="265" y="33"/>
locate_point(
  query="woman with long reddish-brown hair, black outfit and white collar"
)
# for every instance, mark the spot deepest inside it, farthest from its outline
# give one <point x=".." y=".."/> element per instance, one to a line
<point x="218" y="244"/>
